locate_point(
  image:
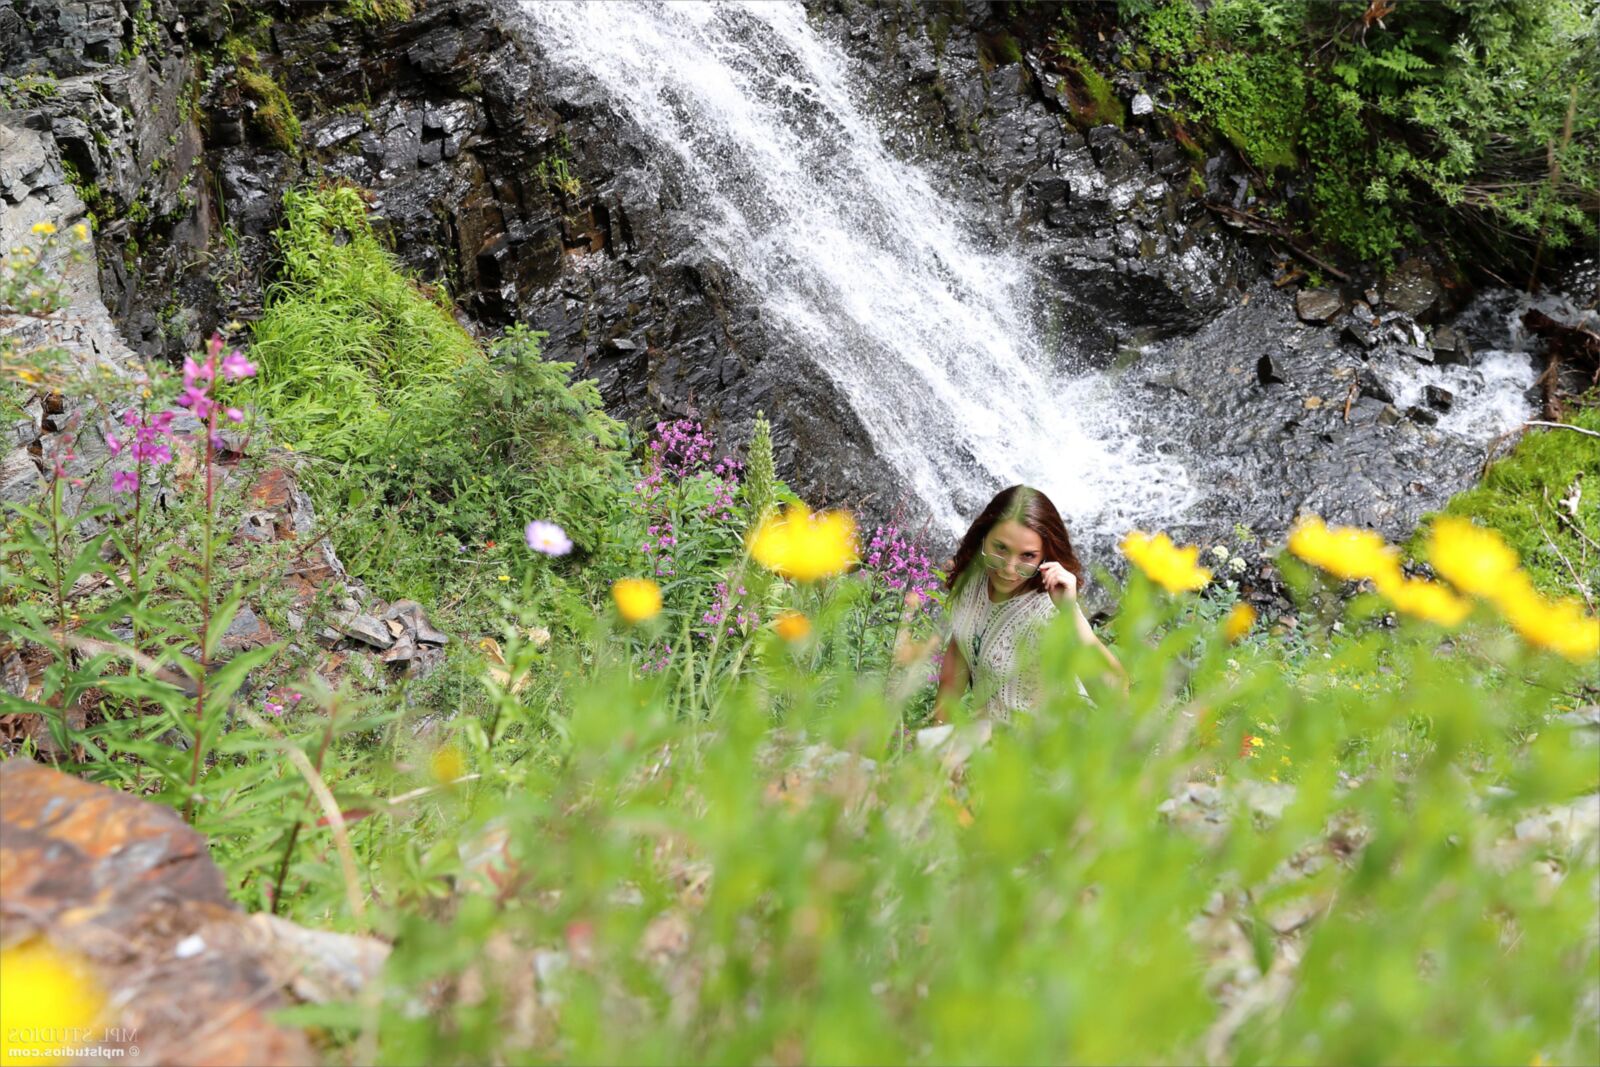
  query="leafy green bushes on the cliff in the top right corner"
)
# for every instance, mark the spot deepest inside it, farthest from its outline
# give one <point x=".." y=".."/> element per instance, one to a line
<point x="1454" y="118"/>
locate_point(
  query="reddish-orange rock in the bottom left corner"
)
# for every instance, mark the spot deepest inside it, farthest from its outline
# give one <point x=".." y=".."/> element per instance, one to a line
<point x="127" y="885"/>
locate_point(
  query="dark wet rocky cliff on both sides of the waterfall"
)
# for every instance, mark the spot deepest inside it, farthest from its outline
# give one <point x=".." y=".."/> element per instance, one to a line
<point x="537" y="202"/>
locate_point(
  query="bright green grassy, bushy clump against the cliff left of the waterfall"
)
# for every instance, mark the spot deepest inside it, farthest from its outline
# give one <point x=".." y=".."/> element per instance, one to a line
<point x="430" y="446"/>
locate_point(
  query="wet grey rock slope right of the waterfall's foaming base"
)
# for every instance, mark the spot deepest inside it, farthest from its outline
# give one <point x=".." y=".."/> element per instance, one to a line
<point x="1319" y="433"/>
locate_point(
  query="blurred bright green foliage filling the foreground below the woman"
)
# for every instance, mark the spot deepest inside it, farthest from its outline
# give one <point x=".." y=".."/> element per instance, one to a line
<point x="785" y="882"/>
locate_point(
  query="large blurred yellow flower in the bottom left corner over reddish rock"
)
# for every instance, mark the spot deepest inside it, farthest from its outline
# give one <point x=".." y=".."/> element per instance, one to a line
<point x="42" y="994"/>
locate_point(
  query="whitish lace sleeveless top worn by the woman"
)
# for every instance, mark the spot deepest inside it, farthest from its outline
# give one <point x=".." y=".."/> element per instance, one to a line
<point x="991" y="636"/>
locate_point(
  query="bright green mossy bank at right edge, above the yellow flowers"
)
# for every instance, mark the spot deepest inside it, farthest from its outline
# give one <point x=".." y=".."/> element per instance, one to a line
<point x="1521" y="498"/>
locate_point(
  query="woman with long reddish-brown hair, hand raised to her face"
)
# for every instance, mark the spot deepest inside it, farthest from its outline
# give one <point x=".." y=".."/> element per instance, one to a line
<point x="1014" y="572"/>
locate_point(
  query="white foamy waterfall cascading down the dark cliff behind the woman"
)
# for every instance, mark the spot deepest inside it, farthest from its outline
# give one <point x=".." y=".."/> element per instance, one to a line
<point x="858" y="262"/>
